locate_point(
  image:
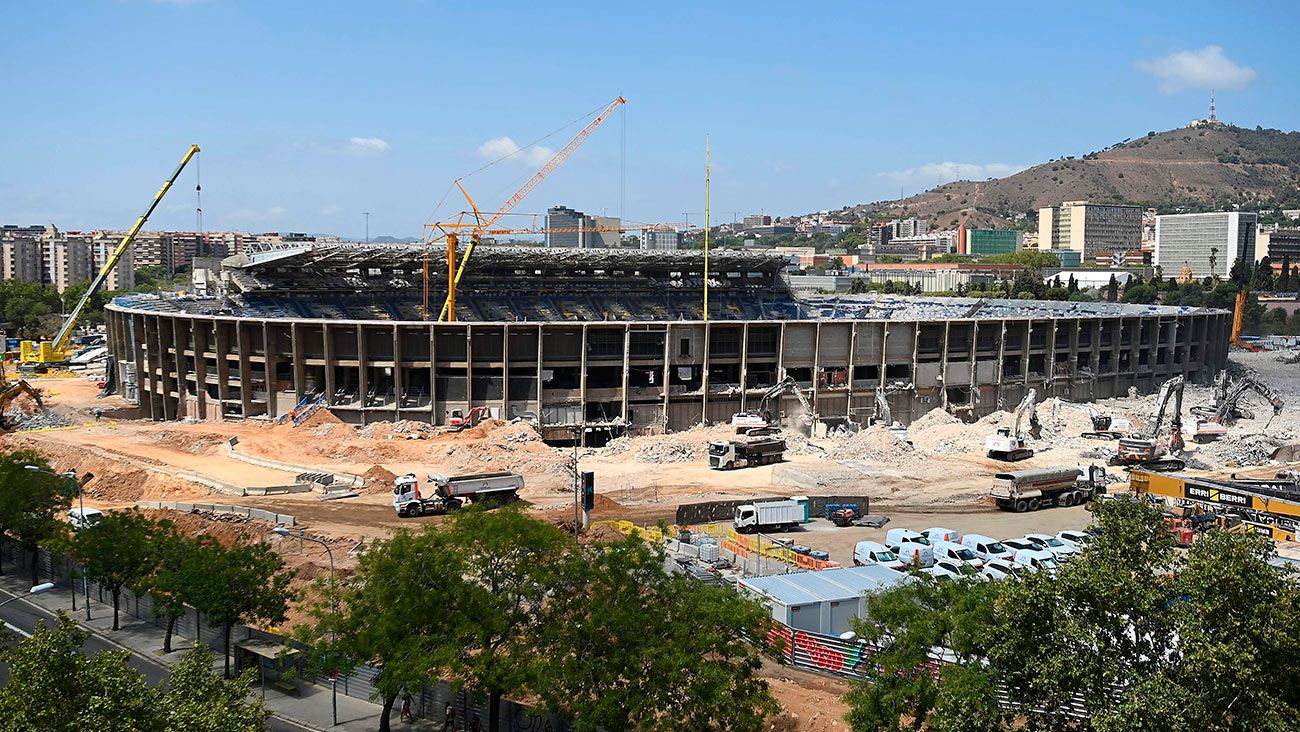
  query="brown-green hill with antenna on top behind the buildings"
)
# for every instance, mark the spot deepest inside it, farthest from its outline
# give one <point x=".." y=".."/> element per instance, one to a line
<point x="1206" y="168"/>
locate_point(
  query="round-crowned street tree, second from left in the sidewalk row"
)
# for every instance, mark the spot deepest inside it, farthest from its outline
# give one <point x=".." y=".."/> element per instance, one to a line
<point x="119" y="552"/>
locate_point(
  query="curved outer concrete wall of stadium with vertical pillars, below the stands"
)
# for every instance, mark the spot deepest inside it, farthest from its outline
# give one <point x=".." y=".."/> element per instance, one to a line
<point x="647" y="376"/>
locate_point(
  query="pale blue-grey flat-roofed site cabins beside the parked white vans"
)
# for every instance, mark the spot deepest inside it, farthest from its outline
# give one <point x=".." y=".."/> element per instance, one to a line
<point x="822" y="603"/>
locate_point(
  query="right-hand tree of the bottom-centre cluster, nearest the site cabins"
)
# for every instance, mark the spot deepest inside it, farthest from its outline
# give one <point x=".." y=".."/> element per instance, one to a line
<point x="626" y="646"/>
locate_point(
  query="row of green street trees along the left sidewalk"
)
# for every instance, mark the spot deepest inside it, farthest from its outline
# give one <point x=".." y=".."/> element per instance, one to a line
<point x="226" y="584"/>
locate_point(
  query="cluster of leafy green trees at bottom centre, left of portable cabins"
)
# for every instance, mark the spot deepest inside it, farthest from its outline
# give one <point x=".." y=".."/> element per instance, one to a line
<point x="501" y="603"/>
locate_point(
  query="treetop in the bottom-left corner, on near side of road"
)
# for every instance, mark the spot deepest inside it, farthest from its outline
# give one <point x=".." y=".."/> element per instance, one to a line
<point x="55" y="688"/>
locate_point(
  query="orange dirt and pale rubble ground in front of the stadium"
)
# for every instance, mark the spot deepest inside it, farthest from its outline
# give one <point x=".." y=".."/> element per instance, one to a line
<point x="941" y="480"/>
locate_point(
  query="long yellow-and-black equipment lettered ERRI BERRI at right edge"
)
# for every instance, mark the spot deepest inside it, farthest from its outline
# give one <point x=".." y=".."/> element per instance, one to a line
<point x="1271" y="508"/>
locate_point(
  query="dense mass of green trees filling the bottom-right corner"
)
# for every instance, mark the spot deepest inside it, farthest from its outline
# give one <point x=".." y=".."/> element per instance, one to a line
<point x="1136" y="635"/>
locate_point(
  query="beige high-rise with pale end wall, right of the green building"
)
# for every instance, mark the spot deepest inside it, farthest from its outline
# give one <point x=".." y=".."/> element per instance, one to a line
<point x="1090" y="228"/>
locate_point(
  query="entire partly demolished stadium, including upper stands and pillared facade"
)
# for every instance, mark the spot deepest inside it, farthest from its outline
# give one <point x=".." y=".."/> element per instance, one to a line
<point x="595" y="345"/>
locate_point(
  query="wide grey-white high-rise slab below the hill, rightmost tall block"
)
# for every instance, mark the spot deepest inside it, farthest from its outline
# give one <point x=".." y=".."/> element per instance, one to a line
<point x="1208" y="244"/>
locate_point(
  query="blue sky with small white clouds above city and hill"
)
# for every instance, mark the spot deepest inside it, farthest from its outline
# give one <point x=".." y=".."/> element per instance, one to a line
<point x="311" y="114"/>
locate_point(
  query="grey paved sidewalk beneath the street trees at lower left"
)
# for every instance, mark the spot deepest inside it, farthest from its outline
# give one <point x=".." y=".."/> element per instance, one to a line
<point x="311" y="709"/>
